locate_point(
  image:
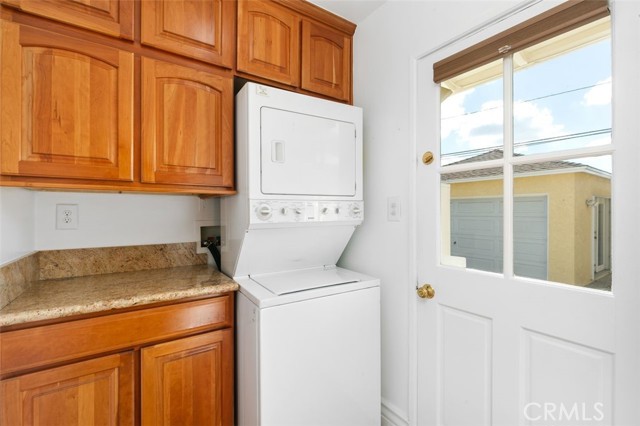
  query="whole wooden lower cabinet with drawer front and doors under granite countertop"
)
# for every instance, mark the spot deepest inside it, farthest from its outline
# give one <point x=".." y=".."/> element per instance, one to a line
<point x="164" y="365"/>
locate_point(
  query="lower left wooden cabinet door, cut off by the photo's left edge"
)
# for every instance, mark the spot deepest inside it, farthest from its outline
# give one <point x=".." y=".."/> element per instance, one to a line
<point x="94" y="392"/>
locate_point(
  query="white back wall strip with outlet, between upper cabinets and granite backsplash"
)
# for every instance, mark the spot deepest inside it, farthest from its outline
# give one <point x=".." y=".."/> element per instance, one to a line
<point x="107" y="220"/>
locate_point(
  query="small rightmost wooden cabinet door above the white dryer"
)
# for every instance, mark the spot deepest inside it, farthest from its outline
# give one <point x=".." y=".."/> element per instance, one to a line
<point x="326" y="61"/>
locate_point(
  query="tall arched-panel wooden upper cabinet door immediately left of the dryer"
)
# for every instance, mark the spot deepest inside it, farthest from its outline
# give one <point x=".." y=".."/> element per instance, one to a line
<point x="187" y="126"/>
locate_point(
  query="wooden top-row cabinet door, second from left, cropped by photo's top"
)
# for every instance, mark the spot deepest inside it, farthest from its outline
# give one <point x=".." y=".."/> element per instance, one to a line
<point x="200" y="29"/>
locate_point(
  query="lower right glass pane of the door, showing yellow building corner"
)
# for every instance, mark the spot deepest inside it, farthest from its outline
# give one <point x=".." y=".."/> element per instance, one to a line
<point x="562" y="221"/>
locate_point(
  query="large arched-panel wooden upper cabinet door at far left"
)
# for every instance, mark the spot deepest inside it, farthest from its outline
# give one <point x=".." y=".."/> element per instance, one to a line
<point x="66" y="106"/>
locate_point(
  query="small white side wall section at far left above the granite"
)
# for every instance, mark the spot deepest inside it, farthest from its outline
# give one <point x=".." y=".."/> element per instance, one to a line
<point x="17" y="234"/>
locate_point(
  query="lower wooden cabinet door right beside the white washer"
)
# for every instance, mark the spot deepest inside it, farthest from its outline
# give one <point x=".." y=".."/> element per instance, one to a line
<point x="189" y="381"/>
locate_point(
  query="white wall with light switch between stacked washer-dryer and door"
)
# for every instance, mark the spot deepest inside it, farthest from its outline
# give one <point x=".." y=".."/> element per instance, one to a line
<point x="384" y="46"/>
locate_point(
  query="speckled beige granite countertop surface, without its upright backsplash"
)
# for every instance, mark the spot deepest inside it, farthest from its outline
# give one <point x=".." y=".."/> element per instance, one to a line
<point x="58" y="298"/>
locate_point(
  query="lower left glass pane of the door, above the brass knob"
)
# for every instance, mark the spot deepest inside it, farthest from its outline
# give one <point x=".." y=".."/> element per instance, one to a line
<point x="471" y="215"/>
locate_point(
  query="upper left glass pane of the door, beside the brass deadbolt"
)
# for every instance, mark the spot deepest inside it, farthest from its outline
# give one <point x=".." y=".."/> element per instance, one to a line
<point x="471" y="123"/>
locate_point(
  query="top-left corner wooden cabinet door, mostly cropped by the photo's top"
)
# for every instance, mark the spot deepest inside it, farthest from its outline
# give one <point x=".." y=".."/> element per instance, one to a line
<point x="112" y="17"/>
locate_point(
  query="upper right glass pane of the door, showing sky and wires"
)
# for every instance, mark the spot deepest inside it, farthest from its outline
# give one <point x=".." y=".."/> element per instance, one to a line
<point x="562" y="91"/>
